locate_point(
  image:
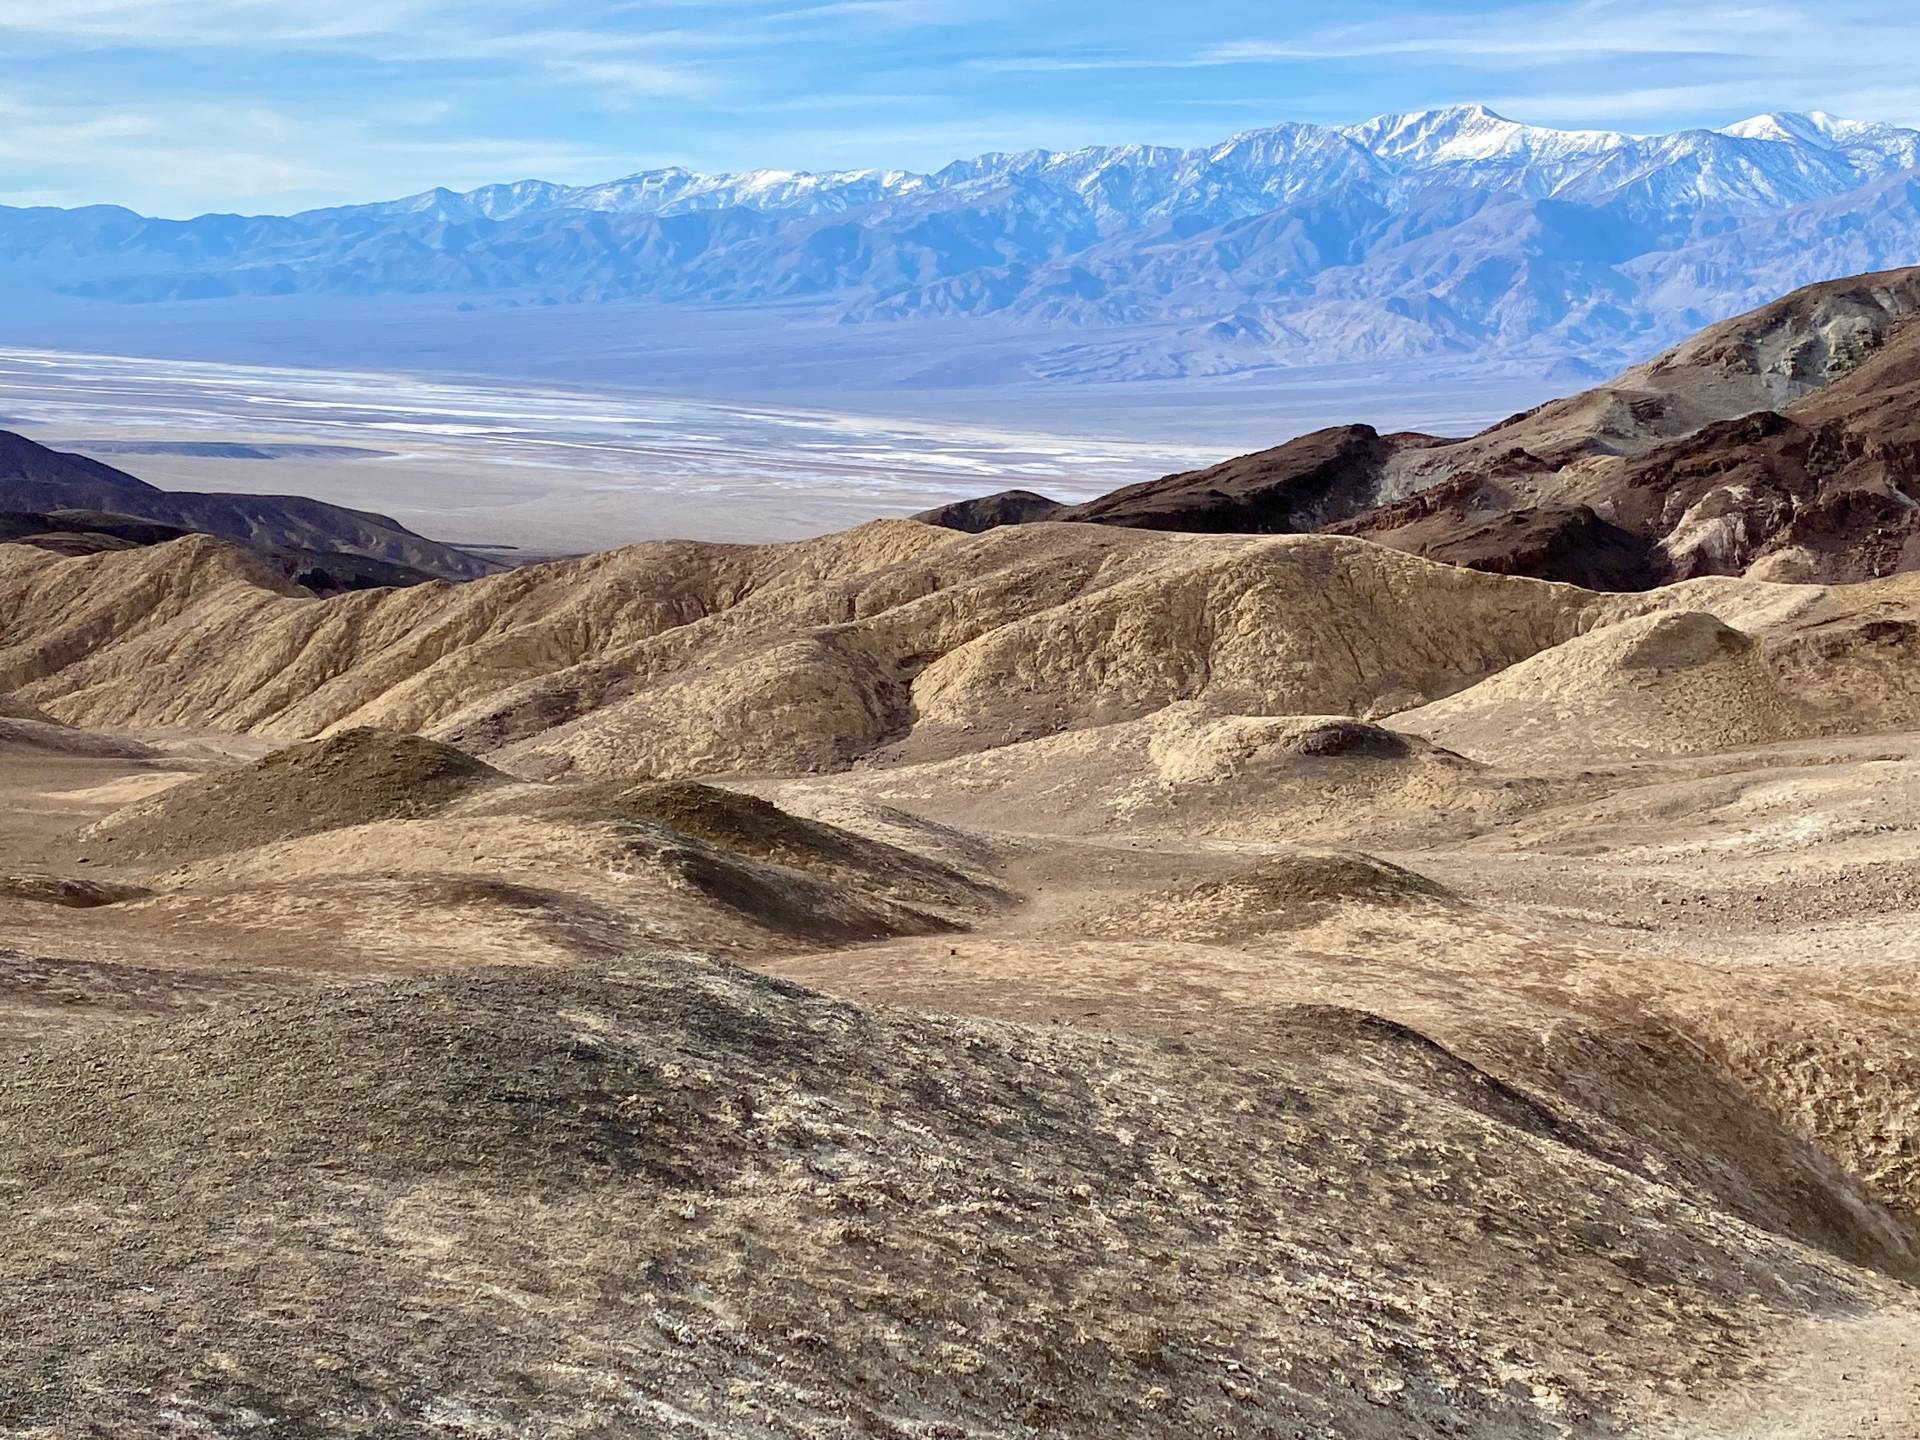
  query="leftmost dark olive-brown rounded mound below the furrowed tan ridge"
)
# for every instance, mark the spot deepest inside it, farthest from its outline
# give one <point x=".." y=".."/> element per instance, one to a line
<point x="352" y="779"/>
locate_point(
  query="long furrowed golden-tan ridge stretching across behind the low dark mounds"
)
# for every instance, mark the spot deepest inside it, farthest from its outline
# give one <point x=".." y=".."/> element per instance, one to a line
<point x="886" y="644"/>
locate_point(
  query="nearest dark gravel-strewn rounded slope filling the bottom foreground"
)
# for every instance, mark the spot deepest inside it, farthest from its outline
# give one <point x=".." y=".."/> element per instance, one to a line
<point x="675" y="1199"/>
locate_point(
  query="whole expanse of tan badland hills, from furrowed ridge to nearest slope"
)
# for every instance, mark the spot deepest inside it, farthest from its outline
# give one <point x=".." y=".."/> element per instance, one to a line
<point x="1051" y="982"/>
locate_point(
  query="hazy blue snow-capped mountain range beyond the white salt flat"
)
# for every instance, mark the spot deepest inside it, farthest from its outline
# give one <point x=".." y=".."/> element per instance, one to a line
<point x="1406" y="235"/>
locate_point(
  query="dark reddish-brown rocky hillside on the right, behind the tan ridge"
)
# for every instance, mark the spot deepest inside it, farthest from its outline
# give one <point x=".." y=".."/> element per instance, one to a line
<point x="1783" y="444"/>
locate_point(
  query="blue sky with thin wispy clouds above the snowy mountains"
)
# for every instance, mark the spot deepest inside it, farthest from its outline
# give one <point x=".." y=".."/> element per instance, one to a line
<point x="180" y="107"/>
